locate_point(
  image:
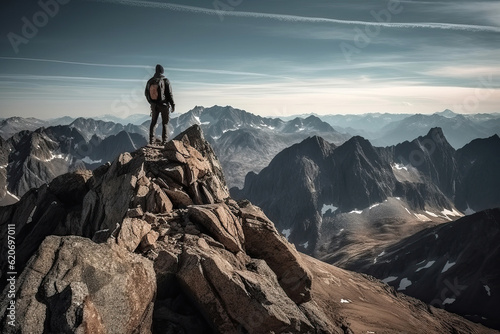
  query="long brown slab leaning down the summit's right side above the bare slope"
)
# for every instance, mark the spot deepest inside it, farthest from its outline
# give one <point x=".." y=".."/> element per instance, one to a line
<point x="281" y="256"/>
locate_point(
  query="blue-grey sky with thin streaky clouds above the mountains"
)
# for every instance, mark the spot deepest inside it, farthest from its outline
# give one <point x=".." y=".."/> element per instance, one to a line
<point x="272" y="58"/>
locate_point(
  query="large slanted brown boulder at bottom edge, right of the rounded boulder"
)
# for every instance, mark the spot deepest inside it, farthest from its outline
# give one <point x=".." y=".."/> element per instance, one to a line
<point x="233" y="296"/>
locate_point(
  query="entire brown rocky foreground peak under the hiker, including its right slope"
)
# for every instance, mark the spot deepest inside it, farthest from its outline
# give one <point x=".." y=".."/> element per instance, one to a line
<point x="153" y="243"/>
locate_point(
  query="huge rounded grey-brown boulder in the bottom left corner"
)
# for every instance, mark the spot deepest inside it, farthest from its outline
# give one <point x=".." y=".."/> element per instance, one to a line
<point x="74" y="285"/>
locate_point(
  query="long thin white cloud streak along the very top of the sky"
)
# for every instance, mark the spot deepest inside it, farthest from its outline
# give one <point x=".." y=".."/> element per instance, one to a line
<point x="296" y="18"/>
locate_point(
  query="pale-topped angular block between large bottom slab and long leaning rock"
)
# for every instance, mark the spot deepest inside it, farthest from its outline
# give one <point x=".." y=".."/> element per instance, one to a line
<point x="221" y="223"/>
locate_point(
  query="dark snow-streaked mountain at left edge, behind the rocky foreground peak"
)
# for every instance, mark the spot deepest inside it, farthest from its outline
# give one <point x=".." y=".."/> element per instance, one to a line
<point x="33" y="158"/>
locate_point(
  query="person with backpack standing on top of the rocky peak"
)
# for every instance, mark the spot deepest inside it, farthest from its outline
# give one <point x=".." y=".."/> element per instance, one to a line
<point x="159" y="95"/>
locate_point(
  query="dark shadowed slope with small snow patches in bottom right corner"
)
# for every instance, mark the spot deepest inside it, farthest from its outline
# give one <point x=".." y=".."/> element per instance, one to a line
<point x="453" y="266"/>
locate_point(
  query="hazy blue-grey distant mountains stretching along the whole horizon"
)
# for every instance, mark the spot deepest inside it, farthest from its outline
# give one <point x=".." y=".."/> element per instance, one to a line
<point x="246" y="142"/>
